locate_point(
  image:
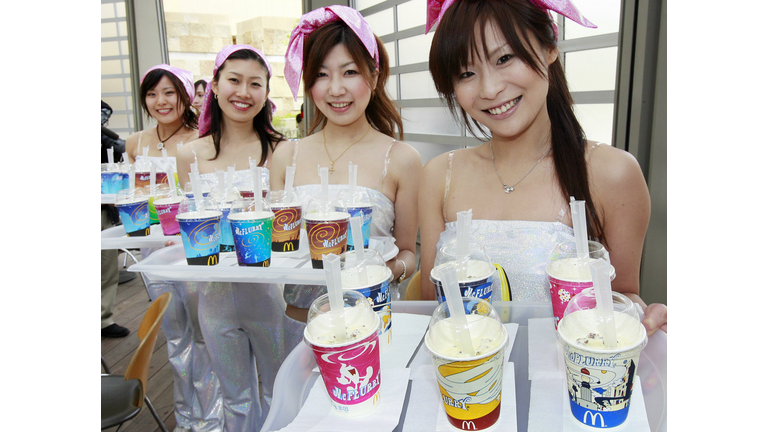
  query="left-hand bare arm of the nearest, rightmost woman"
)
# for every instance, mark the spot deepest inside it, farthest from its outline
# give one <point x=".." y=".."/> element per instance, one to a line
<point x="431" y="219"/>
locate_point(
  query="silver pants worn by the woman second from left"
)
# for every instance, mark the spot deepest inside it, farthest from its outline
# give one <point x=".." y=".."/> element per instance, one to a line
<point x="243" y="325"/>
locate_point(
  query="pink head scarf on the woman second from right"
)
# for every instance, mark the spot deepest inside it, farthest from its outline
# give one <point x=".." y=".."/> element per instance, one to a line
<point x="309" y="22"/>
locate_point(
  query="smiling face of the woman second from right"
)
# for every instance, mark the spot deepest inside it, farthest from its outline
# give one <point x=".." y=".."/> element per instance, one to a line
<point x="340" y="91"/>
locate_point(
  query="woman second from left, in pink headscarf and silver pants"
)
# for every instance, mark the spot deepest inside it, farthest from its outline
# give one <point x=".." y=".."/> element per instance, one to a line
<point x="242" y="322"/>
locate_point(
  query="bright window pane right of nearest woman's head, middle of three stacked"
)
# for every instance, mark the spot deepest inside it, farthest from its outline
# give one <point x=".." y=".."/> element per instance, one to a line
<point x="582" y="73"/>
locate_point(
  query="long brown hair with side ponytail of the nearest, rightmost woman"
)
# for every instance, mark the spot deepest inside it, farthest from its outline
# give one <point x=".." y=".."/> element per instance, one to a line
<point x="454" y="46"/>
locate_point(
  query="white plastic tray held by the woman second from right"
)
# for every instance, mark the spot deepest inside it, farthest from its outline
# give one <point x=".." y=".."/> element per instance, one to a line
<point x="285" y="267"/>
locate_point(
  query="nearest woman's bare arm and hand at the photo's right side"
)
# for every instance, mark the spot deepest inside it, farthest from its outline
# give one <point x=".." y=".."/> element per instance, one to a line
<point x="622" y="199"/>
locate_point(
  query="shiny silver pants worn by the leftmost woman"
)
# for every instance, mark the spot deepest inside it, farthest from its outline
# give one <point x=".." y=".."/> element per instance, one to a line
<point x="196" y="389"/>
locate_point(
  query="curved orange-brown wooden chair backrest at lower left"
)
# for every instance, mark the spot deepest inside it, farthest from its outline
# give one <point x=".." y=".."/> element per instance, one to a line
<point x="150" y="325"/>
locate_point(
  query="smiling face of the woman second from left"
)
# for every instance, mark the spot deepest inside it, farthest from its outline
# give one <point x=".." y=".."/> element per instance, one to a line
<point x="241" y="89"/>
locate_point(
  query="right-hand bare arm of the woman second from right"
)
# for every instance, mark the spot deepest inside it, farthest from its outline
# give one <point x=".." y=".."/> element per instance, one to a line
<point x="406" y="169"/>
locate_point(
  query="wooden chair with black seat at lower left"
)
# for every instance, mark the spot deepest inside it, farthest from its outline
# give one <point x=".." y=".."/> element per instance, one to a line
<point x="122" y="395"/>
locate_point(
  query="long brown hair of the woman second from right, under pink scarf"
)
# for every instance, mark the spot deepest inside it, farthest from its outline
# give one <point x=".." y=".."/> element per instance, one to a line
<point x="381" y="112"/>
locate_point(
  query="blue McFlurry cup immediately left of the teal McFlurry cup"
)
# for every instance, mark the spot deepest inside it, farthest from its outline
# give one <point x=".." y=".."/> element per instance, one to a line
<point x="201" y="236"/>
